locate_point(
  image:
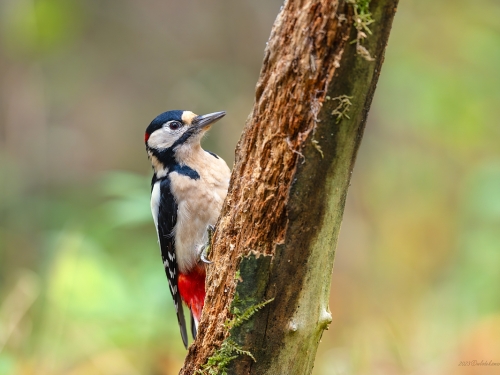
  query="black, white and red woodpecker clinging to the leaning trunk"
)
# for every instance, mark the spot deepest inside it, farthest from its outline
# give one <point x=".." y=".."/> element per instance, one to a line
<point x="188" y="188"/>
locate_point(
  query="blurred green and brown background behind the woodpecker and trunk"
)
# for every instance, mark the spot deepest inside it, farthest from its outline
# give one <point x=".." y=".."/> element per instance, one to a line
<point x="416" y="284"/>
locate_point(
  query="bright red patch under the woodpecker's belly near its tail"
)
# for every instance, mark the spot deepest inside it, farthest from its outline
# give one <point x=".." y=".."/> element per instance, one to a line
<point x="192" y="289"/>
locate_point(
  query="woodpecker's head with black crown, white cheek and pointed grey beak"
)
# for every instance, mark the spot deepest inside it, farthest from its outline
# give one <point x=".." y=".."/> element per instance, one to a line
<point x="177" y="128"/>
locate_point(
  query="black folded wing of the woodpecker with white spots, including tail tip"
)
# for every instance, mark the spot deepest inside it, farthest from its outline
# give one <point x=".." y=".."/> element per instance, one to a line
<point x="167" y="218"/>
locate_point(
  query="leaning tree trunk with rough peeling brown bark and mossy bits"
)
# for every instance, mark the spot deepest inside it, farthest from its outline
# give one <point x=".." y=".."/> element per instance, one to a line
<point x="276" y="237"/>
